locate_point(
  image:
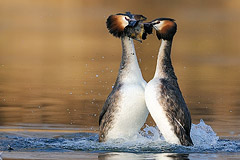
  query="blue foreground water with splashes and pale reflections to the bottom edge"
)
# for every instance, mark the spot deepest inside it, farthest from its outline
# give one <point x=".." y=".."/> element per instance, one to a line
<point x="148" y="142"/>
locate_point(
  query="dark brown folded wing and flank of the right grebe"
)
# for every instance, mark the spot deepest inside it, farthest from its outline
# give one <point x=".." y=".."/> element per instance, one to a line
<point x="177" y="112"/>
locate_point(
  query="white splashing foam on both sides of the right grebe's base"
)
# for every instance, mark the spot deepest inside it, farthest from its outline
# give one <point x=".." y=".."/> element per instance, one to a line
<point x="202" y="136"/>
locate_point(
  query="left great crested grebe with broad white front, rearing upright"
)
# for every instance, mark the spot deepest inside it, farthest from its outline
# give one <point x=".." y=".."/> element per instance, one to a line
<point x="125" y="111"/>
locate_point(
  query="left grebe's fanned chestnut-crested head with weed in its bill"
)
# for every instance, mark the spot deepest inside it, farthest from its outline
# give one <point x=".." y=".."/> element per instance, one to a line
<point x="127" y="24"/>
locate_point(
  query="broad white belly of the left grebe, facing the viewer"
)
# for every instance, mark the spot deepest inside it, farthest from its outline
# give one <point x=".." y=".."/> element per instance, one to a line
<point x="132" y="114"/>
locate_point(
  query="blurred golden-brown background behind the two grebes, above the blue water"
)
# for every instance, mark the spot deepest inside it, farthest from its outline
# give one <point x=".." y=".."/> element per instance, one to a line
<point x="58" y="62"/>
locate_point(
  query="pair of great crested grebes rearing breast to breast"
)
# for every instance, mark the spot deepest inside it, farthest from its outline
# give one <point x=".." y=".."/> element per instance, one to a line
<point x="132" y="98"/>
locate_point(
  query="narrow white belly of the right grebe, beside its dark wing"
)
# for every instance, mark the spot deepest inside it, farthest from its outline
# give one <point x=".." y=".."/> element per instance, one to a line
<point x="157" y="112"/>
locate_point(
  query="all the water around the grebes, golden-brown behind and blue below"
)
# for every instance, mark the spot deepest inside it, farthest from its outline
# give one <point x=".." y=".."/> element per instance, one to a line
<point x="58" y="64"/>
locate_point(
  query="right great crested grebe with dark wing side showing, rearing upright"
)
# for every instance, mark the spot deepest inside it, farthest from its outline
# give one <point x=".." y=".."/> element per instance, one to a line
<point x="162" y="94"/>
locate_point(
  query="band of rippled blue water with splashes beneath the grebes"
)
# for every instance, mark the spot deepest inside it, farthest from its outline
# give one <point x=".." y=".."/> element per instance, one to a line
<point x="149" y="140"/>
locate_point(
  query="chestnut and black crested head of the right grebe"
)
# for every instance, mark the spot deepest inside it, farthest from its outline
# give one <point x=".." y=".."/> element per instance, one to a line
<point x="165" y="28"/>
